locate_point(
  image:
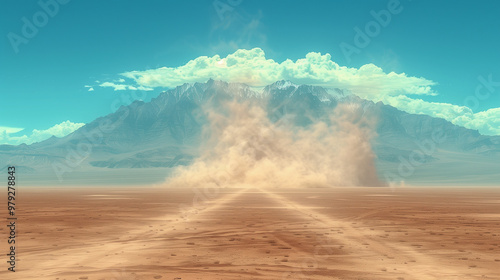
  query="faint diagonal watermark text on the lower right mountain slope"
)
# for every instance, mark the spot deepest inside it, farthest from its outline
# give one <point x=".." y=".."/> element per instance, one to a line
<point x="408" y="165"/>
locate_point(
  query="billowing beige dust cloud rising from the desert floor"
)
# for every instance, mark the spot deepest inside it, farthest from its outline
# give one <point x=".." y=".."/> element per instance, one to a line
<point x="243" y="147"/>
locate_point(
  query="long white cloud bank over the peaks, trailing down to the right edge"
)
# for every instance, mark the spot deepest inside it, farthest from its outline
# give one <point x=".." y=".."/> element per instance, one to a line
<point x="369" y="81"/>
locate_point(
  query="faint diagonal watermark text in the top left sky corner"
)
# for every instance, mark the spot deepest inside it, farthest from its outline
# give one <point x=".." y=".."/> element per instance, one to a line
<point x="31" y="26"/>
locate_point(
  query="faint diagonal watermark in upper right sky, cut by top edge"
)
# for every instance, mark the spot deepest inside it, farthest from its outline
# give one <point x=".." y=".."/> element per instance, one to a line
<point x="363" y="37"/>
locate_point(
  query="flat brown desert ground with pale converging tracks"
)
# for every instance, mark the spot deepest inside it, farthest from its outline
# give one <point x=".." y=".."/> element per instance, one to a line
<point x="343" y="233"/>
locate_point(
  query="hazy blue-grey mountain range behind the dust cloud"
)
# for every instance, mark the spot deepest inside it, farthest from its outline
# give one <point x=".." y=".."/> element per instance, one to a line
<point x="166" y="132"/>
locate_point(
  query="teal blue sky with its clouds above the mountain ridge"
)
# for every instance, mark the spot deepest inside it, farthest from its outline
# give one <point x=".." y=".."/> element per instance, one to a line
<point x="445" y="47"/>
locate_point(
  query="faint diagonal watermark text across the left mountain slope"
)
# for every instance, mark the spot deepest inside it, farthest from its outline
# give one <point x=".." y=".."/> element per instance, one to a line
<point x="94" y="136"/>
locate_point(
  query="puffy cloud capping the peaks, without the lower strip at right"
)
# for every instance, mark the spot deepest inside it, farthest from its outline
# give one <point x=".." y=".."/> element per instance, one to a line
<point x="253" y="68"/>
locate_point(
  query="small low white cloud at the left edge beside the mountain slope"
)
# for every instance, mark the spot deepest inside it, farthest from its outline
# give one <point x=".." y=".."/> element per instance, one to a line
<point x="58" y="130"/>
